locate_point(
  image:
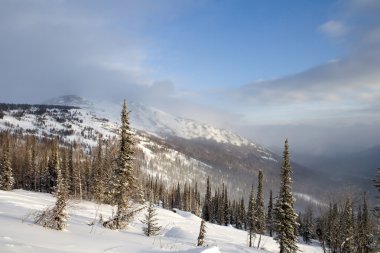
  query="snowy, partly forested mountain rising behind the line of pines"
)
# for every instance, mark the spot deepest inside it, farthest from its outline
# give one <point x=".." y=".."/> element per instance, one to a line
<point x="173" y="148"/>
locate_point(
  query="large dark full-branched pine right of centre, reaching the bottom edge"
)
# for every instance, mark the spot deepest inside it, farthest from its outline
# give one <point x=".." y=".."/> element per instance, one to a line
<point x="285" y="220"/>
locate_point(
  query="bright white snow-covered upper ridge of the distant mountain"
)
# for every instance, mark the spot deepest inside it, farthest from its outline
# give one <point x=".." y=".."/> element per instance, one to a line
<point x="155" y="121"/>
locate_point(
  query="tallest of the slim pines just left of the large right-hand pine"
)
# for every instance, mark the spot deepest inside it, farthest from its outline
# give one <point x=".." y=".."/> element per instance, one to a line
<point x="260" y="209"/>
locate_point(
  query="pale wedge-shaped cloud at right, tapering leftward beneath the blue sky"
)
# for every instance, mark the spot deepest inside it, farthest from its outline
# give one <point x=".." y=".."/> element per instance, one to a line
<point x="354" y="78"/>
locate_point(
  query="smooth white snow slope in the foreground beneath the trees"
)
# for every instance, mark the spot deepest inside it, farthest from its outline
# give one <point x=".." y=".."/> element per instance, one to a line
<point x="179" y="233"/>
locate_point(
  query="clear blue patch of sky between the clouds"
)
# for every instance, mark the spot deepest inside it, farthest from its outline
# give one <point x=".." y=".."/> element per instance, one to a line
<point x="231" y="43"/>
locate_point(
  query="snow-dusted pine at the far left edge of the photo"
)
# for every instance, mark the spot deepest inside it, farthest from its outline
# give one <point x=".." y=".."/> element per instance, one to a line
<point x="6" y="177"/>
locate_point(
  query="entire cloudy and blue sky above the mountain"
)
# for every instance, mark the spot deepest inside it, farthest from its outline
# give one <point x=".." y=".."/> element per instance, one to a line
<point x="304" y="70"/>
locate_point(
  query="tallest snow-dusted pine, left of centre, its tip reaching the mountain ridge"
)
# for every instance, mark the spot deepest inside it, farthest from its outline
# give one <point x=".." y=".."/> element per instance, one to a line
<point x="124" y="183"/>
